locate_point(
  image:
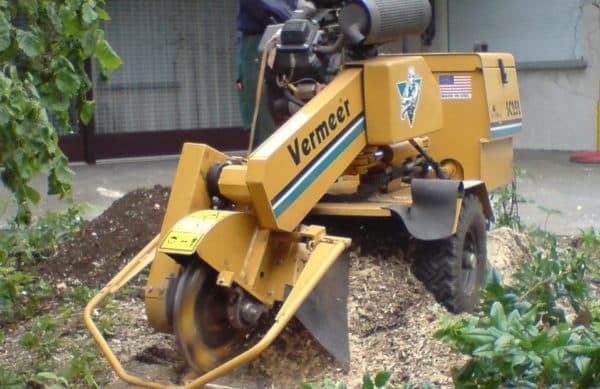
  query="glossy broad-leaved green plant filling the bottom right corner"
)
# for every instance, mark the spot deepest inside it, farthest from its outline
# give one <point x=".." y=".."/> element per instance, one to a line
<point x="512" y="349"/>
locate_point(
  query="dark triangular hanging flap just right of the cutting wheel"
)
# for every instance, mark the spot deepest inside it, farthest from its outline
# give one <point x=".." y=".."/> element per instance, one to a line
<point x="324" y="313"/>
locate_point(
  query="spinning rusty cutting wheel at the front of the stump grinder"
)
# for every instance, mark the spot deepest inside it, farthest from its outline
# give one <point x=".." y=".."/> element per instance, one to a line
<point x="200" y="322"/>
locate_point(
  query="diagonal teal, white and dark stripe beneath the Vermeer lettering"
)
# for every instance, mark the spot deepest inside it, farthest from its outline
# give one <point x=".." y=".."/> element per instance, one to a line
<point x="317" y="166"/>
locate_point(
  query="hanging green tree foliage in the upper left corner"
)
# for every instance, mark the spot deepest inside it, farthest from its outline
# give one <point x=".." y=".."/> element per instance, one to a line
<point x="44" y="46"/>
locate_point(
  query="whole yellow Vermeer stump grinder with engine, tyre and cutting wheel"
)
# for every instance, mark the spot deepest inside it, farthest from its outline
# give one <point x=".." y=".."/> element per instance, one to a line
<point x="416" y="139"/>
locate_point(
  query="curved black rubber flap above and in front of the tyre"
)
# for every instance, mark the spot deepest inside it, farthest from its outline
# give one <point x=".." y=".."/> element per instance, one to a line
<point x="434" y="210"/>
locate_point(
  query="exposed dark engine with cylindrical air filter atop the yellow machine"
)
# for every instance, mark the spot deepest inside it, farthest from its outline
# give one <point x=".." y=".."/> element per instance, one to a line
<point x="321" y="35"/>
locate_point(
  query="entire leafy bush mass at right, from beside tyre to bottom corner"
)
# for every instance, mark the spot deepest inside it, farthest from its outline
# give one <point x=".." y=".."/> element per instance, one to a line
<point x="521" y="337"/>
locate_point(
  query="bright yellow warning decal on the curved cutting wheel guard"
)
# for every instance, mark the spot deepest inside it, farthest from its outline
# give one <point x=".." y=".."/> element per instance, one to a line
<point x="186" y="234"/>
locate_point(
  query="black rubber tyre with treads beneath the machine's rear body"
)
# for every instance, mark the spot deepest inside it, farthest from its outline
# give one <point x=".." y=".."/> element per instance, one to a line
<point x="454" y="269"/>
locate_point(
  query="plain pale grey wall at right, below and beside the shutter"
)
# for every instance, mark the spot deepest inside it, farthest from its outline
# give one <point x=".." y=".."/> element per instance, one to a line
<point x="559" y="106"/>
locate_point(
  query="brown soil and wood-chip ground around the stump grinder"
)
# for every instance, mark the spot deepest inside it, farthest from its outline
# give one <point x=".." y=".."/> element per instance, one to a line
<point x="392" y="317"/>
